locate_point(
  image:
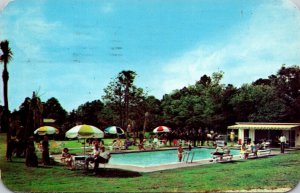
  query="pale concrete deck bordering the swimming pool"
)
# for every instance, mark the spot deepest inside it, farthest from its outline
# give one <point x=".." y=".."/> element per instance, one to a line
<point x="167" y="166"/>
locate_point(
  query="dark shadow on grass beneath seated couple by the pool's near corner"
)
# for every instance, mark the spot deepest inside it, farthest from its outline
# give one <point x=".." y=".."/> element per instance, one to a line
<point x="112" y="173"/>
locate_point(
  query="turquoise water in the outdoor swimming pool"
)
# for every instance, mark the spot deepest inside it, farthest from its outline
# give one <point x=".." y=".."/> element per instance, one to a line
<point x="154" y="158"/>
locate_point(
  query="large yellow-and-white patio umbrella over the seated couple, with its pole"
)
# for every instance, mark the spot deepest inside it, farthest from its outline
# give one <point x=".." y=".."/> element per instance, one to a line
<point x="84" y="131"/>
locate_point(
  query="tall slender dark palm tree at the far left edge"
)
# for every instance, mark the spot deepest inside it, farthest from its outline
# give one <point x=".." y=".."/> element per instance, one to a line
<point x="5" y="58"/>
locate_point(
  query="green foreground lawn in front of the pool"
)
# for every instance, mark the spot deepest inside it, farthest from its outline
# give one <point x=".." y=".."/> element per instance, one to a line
<point x="282" y="171"/>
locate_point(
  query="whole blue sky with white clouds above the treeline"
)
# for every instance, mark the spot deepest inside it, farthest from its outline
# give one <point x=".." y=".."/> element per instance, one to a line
<point x="72" y="49"/>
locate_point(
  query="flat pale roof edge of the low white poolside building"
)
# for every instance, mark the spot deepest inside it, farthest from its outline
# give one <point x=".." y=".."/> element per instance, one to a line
<point x="265" y="126"/>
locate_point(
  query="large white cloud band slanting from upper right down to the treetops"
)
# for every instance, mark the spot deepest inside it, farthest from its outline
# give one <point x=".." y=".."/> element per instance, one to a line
<point x="255" y="50"/>
